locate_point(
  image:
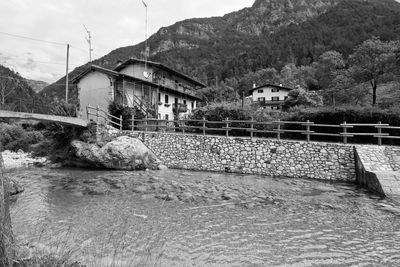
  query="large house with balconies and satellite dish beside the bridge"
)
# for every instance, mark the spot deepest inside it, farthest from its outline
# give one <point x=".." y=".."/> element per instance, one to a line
<point x="155" y="89"/>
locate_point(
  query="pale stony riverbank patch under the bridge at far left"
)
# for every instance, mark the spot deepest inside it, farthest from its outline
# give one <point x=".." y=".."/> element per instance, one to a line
<point x="20" y="159"/>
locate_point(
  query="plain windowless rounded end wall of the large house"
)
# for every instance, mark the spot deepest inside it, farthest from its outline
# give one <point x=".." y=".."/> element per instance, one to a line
<point x="95" y="89"/>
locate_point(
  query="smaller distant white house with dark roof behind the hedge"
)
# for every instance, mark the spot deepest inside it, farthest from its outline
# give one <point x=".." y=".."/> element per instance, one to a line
<point x="270" y="95"/>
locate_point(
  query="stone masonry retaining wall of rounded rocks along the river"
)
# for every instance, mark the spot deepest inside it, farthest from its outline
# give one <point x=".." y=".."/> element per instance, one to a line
<point x="295" y="159"/>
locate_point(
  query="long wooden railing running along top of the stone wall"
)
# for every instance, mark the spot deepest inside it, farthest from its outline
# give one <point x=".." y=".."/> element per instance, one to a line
<point x="275" y="129"/>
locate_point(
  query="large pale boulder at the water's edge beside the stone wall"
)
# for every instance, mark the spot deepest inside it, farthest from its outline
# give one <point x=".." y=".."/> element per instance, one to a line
<point x="123" y="153"/>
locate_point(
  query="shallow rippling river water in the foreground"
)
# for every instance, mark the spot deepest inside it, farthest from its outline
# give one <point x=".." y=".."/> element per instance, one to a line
<point x="267" y="222"/>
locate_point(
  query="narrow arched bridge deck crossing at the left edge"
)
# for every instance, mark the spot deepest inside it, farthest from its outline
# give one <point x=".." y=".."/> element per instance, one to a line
<point x="71" y="121"/>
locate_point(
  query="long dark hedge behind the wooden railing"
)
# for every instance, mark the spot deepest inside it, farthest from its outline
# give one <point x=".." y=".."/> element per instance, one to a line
<point x="321" y="115"/>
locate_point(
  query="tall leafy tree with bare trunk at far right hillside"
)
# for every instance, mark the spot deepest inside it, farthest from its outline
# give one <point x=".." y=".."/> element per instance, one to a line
<point x="372" y="61"/>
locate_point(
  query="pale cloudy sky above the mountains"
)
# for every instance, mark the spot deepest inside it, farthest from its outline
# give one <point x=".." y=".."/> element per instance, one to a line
<point x="112" y="24"/>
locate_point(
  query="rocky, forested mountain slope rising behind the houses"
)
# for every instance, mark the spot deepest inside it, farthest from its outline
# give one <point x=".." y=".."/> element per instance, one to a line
<point x="271" y="33"/>
